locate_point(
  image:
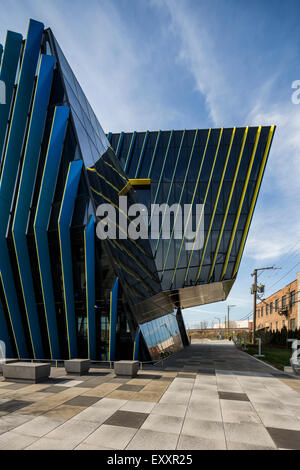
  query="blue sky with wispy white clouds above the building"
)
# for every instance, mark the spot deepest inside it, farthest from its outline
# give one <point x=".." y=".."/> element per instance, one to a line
<point x="173" y="64"/>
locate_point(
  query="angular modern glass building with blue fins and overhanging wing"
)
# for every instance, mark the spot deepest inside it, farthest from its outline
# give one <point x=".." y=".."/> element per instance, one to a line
<point x="63" y="291"/>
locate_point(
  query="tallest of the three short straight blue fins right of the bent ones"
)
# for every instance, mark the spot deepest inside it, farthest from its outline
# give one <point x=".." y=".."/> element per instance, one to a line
<point x="89" y="248"/>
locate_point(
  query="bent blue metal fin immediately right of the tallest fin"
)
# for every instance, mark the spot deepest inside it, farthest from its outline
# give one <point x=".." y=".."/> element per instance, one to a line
<point x="31" y="157"/>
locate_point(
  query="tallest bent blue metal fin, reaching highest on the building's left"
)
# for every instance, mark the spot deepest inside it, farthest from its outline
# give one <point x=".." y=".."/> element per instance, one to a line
<point x="9" y="171"/>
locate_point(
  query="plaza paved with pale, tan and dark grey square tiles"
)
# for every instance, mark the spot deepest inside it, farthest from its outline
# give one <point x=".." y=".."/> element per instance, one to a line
<point x="209" y="396"/>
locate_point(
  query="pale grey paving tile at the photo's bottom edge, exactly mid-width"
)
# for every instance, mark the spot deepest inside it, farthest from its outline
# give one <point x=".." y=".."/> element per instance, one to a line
<point x="153" y="440"/>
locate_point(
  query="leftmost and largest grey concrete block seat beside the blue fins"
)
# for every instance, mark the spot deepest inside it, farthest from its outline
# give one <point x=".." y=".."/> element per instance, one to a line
<point x="26" y="372"/>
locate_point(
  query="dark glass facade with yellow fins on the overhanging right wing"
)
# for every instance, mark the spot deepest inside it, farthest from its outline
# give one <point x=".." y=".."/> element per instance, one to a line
<point x="219" y="168"/>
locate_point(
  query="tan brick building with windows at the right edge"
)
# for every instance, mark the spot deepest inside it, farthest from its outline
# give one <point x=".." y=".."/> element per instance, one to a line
<point x="280" y="309"/>
